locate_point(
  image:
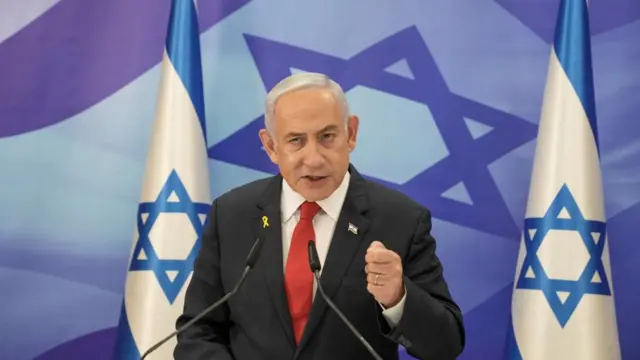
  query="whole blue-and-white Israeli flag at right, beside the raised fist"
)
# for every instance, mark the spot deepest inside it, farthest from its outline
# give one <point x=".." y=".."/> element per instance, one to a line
<point x="563" y="306"/>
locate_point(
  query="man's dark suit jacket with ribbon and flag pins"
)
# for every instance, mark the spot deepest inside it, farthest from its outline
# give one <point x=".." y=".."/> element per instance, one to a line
<point x="255" y="324"/>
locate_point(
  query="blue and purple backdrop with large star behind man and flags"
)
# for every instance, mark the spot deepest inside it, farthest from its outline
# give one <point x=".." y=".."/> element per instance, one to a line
<point x="448" y="92"/>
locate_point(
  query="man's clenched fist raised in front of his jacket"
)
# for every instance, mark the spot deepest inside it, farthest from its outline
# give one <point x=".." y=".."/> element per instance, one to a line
<point x="384" y="275"/>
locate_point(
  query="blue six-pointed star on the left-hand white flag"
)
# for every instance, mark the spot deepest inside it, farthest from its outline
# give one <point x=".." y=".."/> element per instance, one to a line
<point x="173" y="198"/>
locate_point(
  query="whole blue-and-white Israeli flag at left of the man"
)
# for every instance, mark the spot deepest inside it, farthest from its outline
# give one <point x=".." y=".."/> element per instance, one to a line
<point x="175" y="199"/>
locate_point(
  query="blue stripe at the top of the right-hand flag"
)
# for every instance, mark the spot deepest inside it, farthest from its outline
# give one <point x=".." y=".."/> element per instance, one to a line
<point x="573" y="49"/>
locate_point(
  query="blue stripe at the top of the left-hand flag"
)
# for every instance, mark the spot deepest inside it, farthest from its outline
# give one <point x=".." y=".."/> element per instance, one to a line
<point x="183" y="49"/>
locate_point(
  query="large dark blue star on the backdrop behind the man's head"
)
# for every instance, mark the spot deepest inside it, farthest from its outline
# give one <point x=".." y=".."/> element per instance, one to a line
<point x="469" y="157"/>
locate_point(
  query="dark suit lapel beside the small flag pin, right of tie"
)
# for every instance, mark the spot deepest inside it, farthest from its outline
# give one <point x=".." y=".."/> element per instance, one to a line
<point x="348" y="235"/>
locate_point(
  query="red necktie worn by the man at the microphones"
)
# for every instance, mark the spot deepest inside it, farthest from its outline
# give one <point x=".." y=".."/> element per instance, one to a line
<point x="298" y="278"/>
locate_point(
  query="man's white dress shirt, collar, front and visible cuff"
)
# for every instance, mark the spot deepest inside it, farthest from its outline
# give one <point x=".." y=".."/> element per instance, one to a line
<point x="324" y="224"/>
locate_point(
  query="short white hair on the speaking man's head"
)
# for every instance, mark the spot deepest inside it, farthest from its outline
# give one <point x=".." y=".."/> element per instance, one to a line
<point x="303" y="81"/>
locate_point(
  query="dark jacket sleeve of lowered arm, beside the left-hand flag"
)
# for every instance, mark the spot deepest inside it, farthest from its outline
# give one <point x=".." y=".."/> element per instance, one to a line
<point x="208" y="337"/>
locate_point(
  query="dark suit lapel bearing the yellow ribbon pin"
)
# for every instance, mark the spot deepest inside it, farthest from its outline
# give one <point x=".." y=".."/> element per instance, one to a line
<point x="273" y="269"/>
